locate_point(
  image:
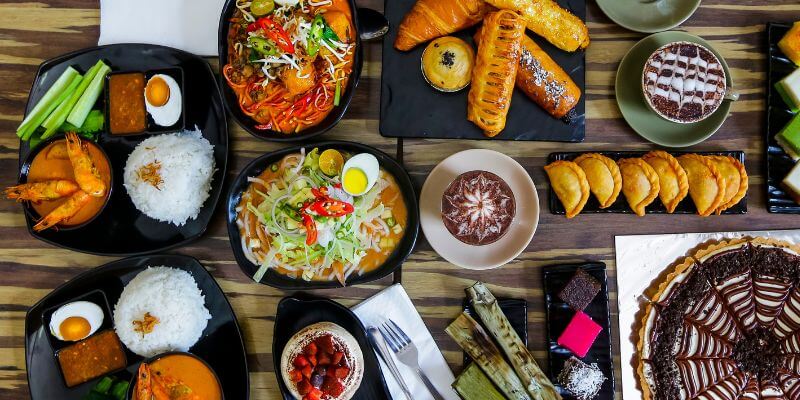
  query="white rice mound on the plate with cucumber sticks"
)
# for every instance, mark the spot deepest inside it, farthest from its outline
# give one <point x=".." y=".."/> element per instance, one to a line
<point x="187" y="165"/>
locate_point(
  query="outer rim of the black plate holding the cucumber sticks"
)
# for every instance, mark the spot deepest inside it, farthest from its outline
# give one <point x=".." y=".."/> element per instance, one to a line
<point x="223" y="127"/>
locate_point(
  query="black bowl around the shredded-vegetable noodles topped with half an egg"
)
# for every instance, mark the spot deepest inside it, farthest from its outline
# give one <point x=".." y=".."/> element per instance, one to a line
<point x="280" y="281"/>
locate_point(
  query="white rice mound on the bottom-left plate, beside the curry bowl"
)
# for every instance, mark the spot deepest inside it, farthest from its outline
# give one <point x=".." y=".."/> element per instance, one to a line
<point x="172" y="296"/>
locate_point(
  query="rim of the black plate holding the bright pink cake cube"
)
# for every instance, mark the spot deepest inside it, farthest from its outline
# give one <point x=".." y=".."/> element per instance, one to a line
<point x="559" y="268"/>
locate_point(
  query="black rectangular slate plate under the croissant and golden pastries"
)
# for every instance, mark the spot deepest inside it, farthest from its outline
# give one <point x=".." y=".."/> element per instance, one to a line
<point x="412" y="108"/>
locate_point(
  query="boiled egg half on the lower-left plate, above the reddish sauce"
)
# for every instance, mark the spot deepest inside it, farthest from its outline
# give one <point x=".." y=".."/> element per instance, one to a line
<point x="76" y="321"/>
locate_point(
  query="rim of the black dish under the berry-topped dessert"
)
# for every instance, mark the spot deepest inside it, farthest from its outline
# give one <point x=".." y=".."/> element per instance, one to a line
<point x="311" y="300"/>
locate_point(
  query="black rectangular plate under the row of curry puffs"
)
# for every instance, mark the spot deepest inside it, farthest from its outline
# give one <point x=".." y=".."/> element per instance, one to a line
<point x="621" y="205"/>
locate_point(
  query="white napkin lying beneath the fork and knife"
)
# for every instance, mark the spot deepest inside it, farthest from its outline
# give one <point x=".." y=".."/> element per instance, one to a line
<point x="393" y="303"/>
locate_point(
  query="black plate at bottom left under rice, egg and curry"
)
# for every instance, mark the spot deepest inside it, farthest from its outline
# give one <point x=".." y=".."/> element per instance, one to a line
<point x="221" y="345"/>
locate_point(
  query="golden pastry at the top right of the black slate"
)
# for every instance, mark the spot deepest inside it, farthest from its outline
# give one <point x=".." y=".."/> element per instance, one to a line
<point x="548" y="20"/>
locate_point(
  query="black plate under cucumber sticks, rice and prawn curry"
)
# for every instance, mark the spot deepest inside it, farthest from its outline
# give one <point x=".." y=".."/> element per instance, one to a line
<point x="120" y="229"/>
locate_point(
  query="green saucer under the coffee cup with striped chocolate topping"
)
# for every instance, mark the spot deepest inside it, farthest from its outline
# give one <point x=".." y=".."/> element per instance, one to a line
<point x="644" y="120"/>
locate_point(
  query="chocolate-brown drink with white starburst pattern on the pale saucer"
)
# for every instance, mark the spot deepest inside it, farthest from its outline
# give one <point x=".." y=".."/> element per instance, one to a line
<point x="478" y="208"/>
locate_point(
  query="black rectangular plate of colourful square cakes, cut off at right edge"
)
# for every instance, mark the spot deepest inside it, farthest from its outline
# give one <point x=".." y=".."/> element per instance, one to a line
<point x="778" y="115"/>
